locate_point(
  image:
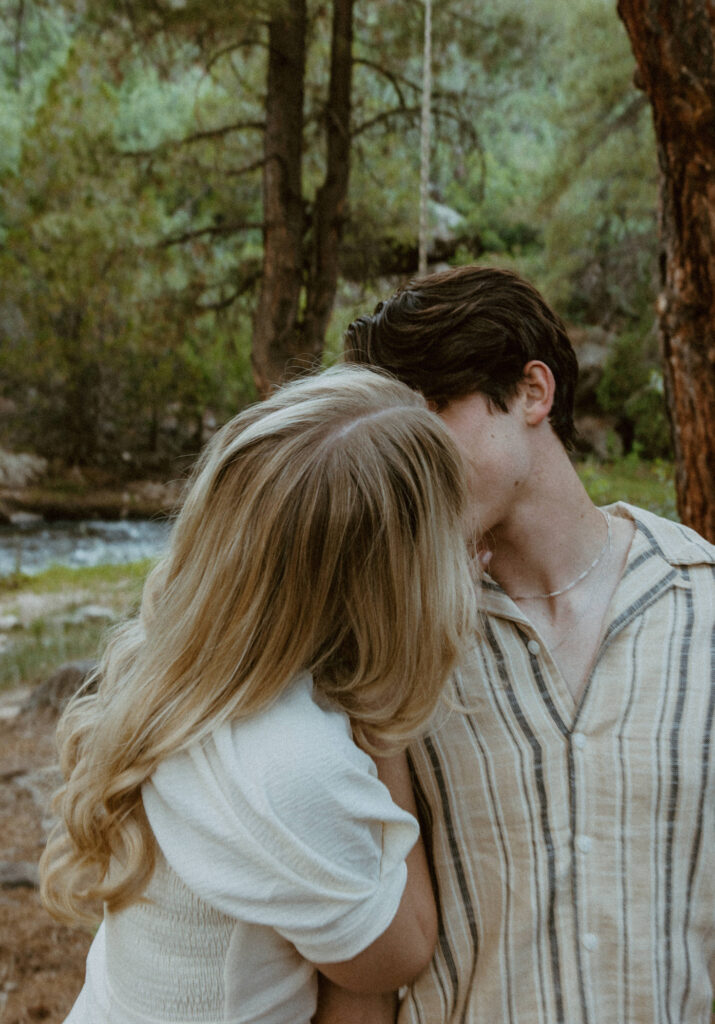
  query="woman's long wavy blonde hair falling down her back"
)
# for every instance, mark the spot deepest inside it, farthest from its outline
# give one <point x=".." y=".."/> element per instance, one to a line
<point x="322" y="531"/>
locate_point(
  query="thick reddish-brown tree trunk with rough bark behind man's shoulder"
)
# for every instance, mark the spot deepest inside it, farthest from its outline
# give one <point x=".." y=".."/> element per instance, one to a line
<point x="674" y="44"/>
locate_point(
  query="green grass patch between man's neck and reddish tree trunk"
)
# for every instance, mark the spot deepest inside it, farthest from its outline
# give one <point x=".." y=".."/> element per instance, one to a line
<point x="649" y="485"/>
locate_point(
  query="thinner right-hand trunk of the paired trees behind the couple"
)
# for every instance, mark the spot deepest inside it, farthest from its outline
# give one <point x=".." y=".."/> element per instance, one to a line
<point x="331" y="200"/>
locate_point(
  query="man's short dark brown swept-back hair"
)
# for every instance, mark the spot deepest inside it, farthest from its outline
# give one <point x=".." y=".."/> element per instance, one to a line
<point x="469" y="330"/>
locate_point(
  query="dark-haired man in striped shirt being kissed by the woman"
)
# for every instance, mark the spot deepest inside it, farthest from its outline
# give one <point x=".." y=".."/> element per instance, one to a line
<point x="569" y="809"/>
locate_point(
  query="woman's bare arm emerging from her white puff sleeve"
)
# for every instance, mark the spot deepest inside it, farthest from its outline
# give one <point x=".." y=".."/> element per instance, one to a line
<point x="407" y="947"/>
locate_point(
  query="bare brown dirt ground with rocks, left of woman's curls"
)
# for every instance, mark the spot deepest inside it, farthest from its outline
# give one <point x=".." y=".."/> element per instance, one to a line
<point x="41" y="962"/>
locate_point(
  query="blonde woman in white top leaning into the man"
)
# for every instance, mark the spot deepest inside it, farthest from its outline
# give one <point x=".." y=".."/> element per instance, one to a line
<point x="221" y="809"/>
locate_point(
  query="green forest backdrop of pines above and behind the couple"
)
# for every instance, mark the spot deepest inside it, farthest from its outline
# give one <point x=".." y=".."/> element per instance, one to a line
<point x="135" y="211"/>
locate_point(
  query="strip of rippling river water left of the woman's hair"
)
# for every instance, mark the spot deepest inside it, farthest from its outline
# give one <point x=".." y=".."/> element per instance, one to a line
<point x="34" y="547"/>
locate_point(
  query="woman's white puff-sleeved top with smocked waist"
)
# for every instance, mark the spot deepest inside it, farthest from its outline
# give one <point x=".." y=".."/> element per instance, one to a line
<point x="278" y="843"/>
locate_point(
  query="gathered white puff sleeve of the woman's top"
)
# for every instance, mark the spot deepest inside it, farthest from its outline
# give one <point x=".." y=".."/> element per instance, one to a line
<point x="281" y="821"/>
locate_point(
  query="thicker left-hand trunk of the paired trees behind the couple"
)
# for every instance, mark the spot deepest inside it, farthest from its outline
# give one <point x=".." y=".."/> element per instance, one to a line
<point x="276" y="339"/>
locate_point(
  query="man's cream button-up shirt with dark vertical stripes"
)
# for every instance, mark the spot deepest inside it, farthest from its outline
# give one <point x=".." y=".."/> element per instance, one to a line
<point x="573" y="845"/>
